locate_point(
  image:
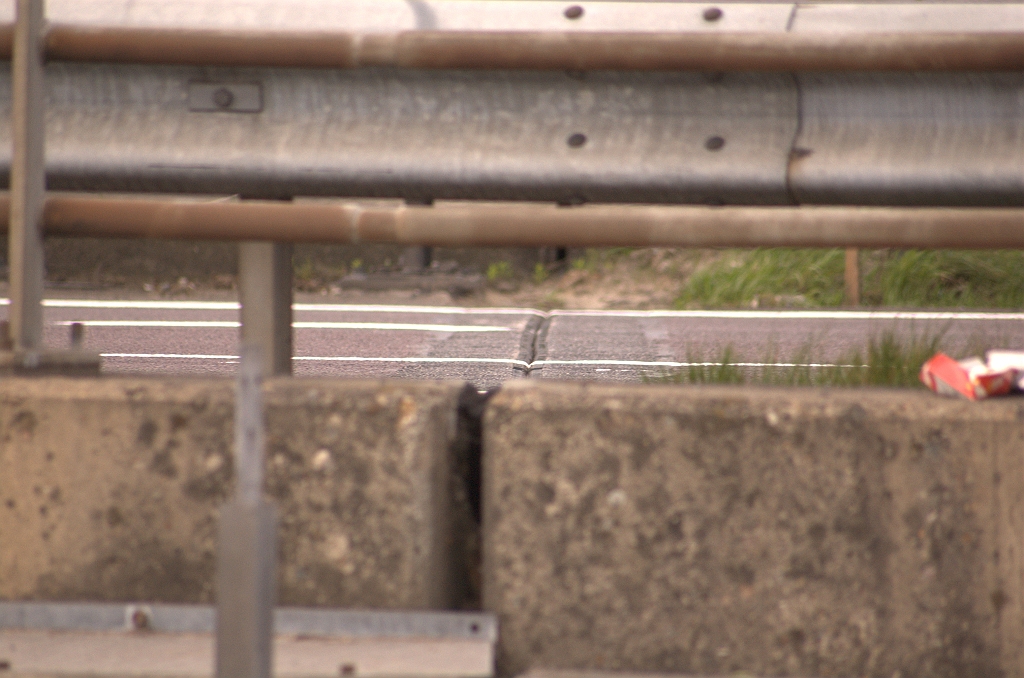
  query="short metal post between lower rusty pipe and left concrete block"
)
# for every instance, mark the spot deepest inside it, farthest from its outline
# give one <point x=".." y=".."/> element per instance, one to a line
<point x="266" y="293"/>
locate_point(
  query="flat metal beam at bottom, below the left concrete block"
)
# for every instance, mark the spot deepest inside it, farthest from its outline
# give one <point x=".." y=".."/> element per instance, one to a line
<point x="124" y="640"/>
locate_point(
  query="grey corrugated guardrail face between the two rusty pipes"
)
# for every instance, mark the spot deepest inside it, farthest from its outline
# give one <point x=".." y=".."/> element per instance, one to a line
<point x="733" y="139"/>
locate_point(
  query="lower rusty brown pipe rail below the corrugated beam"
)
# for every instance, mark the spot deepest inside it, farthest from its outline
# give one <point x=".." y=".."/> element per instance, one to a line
<point x="528" y="225"/>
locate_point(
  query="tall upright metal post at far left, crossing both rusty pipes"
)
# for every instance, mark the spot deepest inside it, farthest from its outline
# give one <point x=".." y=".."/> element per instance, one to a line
<point x="28" y="180"/>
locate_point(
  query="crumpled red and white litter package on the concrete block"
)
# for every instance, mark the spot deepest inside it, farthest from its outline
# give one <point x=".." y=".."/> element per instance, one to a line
<point x="1001" y="373"/>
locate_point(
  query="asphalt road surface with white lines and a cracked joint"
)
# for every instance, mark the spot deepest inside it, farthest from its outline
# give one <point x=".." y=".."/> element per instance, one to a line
<point x="488" y="347"/>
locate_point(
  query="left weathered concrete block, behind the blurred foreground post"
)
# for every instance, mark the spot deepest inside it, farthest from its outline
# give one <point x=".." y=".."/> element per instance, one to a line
<point x="110" y="490"/>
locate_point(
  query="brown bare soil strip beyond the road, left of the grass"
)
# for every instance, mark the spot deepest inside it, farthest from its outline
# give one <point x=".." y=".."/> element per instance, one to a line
<point x="642" y="279"/>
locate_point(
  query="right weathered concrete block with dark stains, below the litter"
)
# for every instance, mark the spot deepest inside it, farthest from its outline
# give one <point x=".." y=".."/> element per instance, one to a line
<point x="780" y="532"/>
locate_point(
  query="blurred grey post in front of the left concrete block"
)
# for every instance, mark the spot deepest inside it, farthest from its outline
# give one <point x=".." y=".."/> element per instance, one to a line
<point x="247" y="542"/>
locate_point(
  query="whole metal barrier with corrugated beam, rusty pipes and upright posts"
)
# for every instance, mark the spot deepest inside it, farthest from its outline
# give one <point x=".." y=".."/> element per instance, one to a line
<point x="774" y="105"/>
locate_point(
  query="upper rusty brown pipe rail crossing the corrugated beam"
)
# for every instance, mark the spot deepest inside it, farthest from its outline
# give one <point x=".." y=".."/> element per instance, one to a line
<point x="538" y="51"/>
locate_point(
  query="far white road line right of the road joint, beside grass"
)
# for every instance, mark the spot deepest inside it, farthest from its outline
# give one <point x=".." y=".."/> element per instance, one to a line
<point x="802" y="315"/>
